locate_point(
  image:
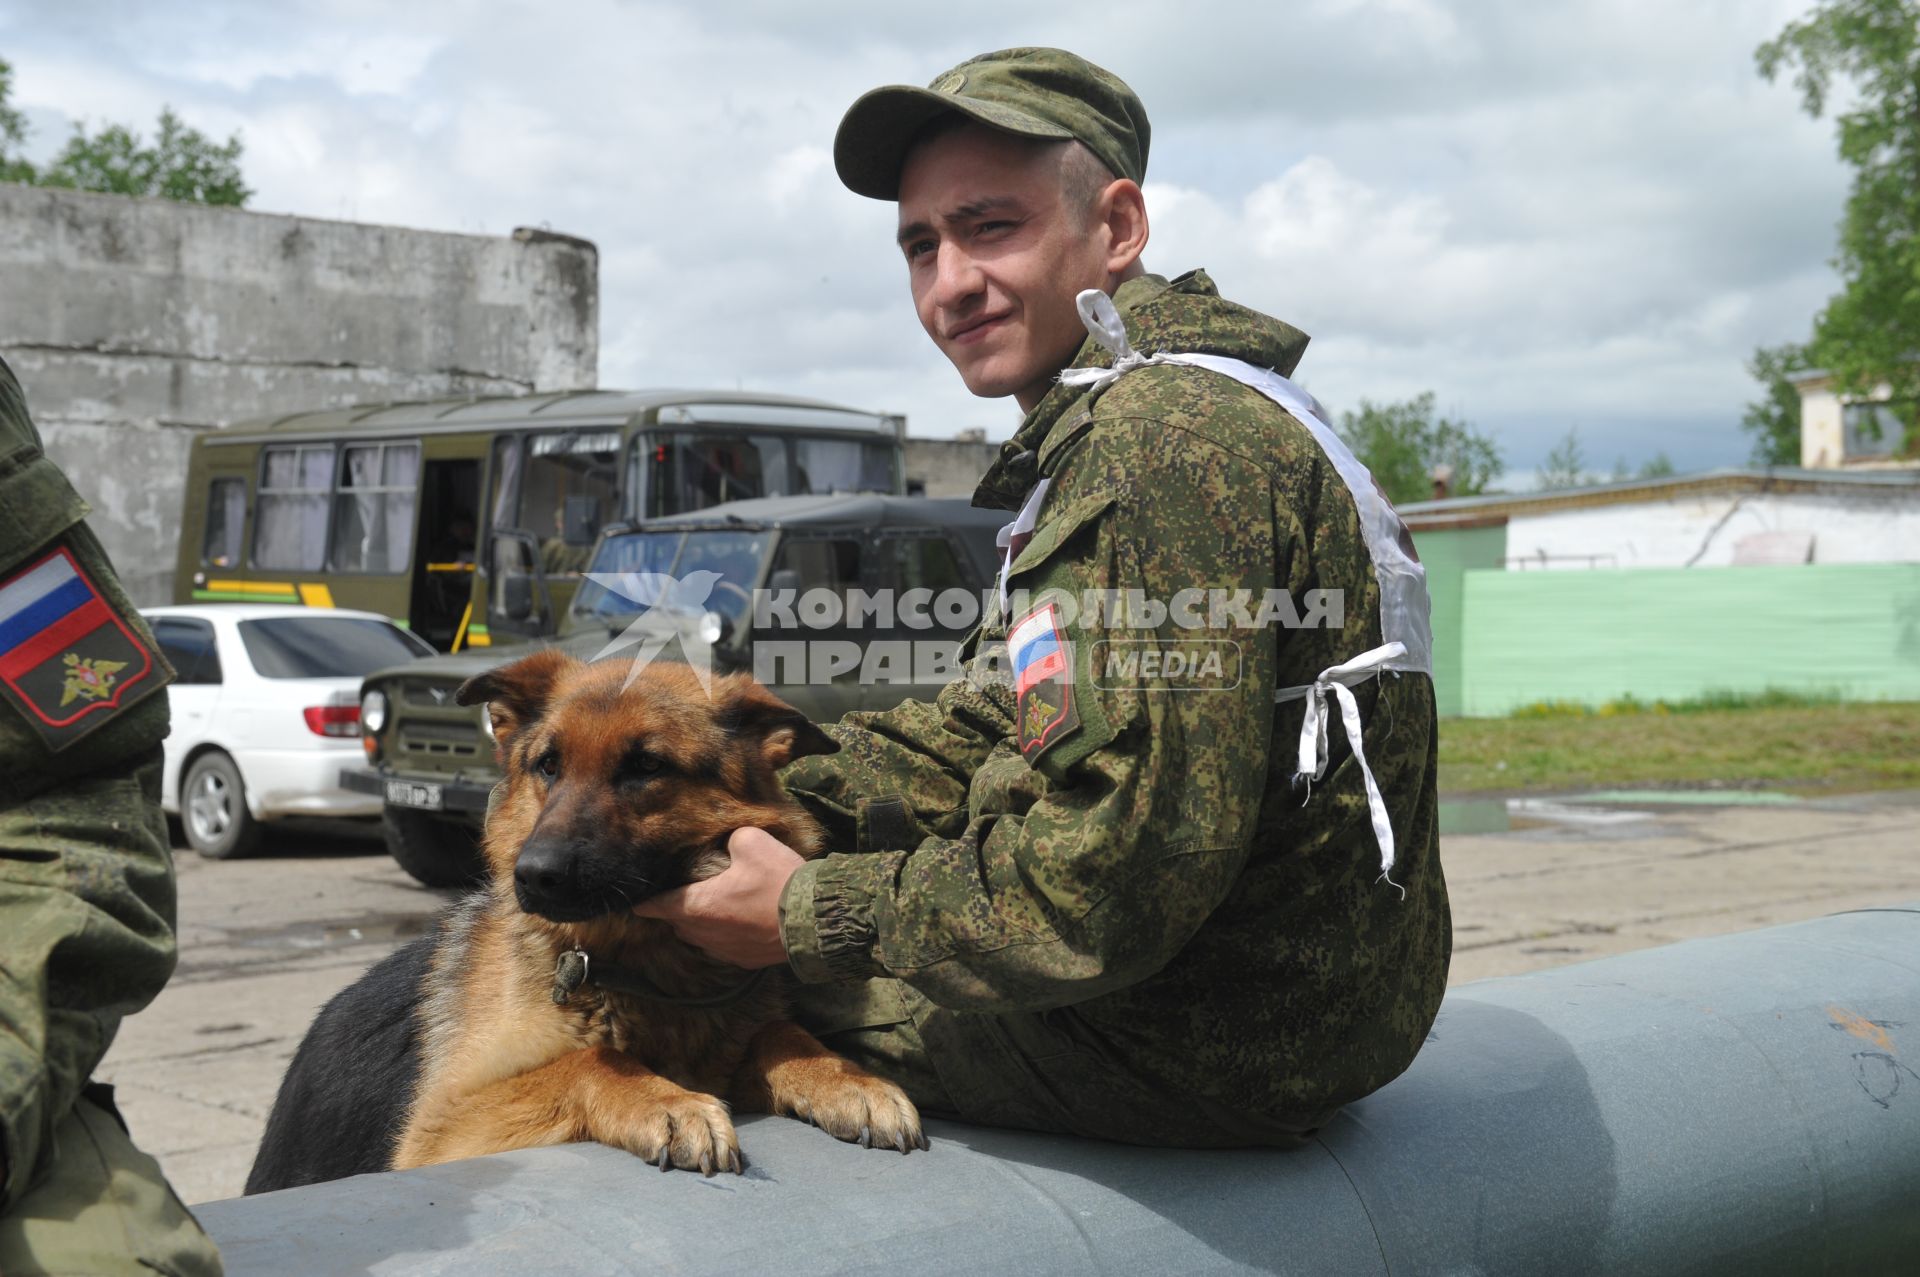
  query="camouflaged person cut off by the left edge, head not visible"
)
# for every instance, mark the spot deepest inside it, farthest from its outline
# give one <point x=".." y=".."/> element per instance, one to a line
<point x="85" y="884"/>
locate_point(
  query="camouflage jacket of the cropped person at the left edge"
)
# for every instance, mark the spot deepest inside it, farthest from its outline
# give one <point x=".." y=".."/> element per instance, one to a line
<point x="85" y="877"/>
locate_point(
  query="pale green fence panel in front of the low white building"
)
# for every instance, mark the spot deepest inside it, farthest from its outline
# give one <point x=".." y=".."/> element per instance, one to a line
<point x="1848" y="629"/>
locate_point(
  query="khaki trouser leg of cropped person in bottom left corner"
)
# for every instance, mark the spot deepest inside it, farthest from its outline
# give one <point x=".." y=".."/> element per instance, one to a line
<point x="103" y="1211"/>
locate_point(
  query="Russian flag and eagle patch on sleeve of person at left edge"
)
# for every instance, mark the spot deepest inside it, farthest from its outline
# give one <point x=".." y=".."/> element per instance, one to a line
<point x="66" y="658"/>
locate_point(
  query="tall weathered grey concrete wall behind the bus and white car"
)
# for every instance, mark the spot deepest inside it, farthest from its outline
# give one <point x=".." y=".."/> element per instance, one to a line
<point x="135" y="324"/>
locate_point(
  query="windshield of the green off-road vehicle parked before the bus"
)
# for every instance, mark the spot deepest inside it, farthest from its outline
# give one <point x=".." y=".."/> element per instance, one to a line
<point x="704" y="571"/>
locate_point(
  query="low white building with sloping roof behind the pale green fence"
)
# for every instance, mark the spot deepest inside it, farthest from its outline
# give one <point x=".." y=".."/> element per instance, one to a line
<point x="1710" y="519"/>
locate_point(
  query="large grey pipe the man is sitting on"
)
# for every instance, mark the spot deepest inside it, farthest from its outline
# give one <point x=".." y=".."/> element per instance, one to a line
<point x="1746" y="1103"/>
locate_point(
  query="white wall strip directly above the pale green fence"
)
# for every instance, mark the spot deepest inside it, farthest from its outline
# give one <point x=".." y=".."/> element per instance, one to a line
<point x="1860" y="527"/>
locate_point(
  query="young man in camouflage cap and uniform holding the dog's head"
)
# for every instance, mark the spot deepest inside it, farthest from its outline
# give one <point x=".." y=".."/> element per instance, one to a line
<point x="1103" y="894"/>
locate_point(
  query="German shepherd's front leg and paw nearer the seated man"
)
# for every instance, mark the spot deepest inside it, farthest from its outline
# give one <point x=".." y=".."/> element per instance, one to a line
<point x="790" y="1072"/>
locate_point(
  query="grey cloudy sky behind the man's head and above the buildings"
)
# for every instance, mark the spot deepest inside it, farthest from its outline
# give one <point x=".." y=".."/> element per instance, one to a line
<point x="1577" y="214"/>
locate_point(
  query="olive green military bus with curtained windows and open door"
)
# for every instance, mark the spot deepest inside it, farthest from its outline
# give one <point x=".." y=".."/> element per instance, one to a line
<point x="469" y="519"/>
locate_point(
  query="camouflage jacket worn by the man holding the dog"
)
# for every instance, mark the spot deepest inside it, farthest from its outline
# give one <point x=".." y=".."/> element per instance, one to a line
<point x="1147" y="859"/>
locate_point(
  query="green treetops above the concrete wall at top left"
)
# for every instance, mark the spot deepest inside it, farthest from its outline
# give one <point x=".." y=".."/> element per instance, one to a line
<point x="181" y="164"/>
